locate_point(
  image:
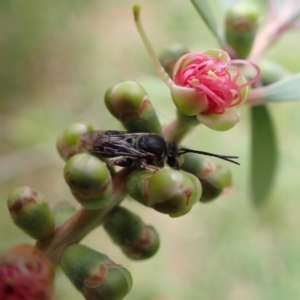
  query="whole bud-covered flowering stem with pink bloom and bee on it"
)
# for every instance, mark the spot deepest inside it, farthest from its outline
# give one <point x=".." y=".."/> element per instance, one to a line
<point x="206" y="88"/>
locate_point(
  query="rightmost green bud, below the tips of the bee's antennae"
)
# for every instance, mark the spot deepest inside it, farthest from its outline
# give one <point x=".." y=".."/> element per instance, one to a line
<point x="215" y="182"/>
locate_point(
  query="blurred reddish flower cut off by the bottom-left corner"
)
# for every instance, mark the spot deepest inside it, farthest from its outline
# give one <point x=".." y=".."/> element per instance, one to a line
<point x="25" y="274"/>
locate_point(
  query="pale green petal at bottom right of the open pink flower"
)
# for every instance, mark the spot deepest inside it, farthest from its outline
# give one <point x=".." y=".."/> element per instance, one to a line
<point x="220" y="122"/>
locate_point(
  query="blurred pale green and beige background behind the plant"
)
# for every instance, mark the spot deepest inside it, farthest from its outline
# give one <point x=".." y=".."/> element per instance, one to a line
<point x="57" y="58"/>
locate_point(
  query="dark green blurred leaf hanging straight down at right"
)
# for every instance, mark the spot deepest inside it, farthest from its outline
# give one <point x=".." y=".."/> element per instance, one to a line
<point x="263" y="154"/>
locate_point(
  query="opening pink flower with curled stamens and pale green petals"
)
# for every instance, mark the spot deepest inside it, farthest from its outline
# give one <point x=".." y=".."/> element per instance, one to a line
<point x="209" y="85"/>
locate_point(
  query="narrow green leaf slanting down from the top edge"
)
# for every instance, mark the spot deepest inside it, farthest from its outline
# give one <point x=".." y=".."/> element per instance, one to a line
<point x="204" y="9"/>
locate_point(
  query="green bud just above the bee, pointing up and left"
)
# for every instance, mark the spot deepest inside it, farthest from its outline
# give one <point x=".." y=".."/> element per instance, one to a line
<point x="129" y="103"/>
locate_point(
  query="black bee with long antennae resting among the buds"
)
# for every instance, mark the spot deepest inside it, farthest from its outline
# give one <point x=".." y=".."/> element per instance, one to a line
<point x="144" y="150"/>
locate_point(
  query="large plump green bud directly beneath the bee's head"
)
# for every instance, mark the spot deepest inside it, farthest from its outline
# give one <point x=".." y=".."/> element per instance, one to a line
<point x="167" y="191"/>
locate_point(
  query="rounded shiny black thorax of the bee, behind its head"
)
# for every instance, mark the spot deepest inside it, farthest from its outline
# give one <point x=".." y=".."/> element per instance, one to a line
<point x="152" y="143"/>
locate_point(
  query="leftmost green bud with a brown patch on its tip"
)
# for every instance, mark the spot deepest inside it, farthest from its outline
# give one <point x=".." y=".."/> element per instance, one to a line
<point x="30" y="212"/>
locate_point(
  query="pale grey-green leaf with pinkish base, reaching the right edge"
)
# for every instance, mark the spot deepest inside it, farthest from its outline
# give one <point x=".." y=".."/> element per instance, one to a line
<point x="287" y="89"/>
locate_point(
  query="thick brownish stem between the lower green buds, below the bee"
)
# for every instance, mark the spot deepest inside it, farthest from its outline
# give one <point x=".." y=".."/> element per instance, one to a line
<point x="83" y="221"/>
